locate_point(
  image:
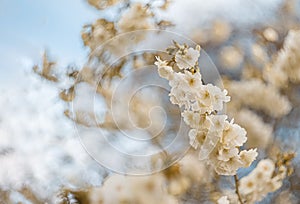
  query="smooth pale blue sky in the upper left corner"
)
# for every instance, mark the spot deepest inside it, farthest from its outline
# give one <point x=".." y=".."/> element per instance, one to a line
<point x="29" y="26"/>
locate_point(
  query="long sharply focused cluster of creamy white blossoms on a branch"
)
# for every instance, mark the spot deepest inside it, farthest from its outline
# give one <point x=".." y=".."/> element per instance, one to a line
<point x="218" y="139"/>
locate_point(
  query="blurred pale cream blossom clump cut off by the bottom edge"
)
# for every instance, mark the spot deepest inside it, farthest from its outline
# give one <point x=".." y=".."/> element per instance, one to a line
<point x="124" y="189"/>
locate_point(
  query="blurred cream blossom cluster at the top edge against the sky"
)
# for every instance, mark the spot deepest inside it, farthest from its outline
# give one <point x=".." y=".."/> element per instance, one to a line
<point x="133" y="16"/>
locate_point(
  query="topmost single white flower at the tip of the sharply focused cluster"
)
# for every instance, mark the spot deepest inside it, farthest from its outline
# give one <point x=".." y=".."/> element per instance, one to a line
<point x="187" y="60"/>
